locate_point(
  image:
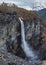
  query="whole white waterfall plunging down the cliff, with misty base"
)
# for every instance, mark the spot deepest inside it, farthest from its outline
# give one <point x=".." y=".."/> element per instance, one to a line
<point x="29" y="52"/>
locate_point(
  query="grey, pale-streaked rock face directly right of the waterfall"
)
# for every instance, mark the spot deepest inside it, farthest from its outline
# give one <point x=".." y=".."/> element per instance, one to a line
<point x="33" y="30"/>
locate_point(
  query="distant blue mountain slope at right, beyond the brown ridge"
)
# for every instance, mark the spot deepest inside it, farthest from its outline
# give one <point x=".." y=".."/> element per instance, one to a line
<point x="42" y="14"/>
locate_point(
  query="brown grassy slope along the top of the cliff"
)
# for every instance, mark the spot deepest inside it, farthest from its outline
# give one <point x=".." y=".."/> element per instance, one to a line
<point x="20" y="12"/>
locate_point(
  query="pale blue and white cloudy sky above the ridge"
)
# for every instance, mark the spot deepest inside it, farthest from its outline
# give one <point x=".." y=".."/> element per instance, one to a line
<point x="28" y="4"/>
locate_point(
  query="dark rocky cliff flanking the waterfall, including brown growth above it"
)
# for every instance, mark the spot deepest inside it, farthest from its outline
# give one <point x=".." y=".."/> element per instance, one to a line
<point x="10" y="33"/>
